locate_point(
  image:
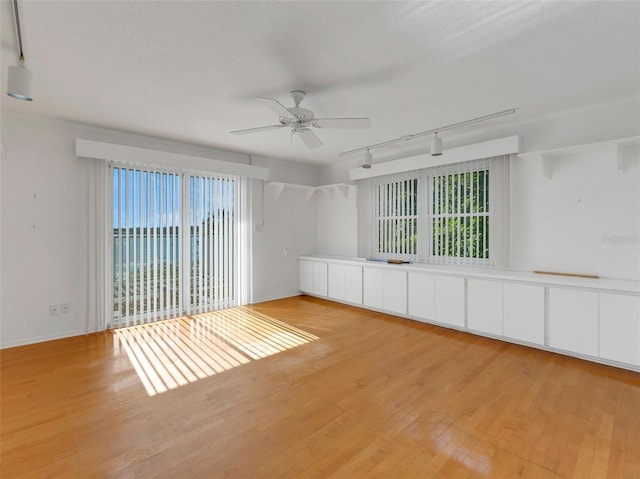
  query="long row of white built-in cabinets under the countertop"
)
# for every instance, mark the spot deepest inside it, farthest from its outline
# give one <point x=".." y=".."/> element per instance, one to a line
<point x="572" y="317"/>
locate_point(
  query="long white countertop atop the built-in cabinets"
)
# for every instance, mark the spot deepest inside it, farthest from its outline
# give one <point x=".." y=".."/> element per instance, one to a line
<point x="619" y="285"/>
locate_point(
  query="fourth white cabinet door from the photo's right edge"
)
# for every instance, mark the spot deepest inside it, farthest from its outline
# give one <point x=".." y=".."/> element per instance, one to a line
<point x="484" y="306"/>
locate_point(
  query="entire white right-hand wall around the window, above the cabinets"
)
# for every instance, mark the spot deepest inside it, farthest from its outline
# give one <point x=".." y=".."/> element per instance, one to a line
<point x="585" y="219"/>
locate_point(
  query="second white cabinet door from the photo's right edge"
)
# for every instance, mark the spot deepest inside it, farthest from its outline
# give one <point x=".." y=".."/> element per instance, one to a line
<point x="573" y="320"/>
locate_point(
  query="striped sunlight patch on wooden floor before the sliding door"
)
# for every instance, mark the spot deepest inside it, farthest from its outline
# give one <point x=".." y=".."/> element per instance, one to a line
<point x="175" y="352"/>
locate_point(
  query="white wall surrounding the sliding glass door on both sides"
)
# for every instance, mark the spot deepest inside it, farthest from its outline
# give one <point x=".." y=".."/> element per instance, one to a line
<point x="44" y="231"/>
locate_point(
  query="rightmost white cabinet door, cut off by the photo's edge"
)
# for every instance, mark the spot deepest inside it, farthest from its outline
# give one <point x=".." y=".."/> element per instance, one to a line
<point x="620" y="328"/>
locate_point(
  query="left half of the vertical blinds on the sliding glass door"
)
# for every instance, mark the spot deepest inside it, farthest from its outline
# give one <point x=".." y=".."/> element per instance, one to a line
<point x="146" y="245"/>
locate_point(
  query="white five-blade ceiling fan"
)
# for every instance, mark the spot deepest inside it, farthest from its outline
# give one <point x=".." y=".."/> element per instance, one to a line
<point x="300" y="120"/>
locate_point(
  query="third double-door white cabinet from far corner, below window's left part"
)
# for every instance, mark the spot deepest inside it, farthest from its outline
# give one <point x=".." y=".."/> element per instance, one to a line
<point x="385" y="289"/>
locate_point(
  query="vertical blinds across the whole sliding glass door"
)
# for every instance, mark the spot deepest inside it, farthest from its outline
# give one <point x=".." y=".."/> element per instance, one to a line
<point x="174" y="244"/>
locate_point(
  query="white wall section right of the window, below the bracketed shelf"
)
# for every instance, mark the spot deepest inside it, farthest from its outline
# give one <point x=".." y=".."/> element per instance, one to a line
<point x="584" y="219"/>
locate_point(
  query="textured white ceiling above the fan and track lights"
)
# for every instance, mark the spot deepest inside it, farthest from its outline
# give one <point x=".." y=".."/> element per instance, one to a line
<point x="190" y="71"/>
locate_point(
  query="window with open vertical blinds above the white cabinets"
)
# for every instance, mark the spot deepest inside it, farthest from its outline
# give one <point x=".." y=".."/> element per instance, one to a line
<point x="454" y="214"/>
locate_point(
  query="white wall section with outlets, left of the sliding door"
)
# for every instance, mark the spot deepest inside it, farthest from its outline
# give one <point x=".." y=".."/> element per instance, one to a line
<point x="44" y="231"/>
